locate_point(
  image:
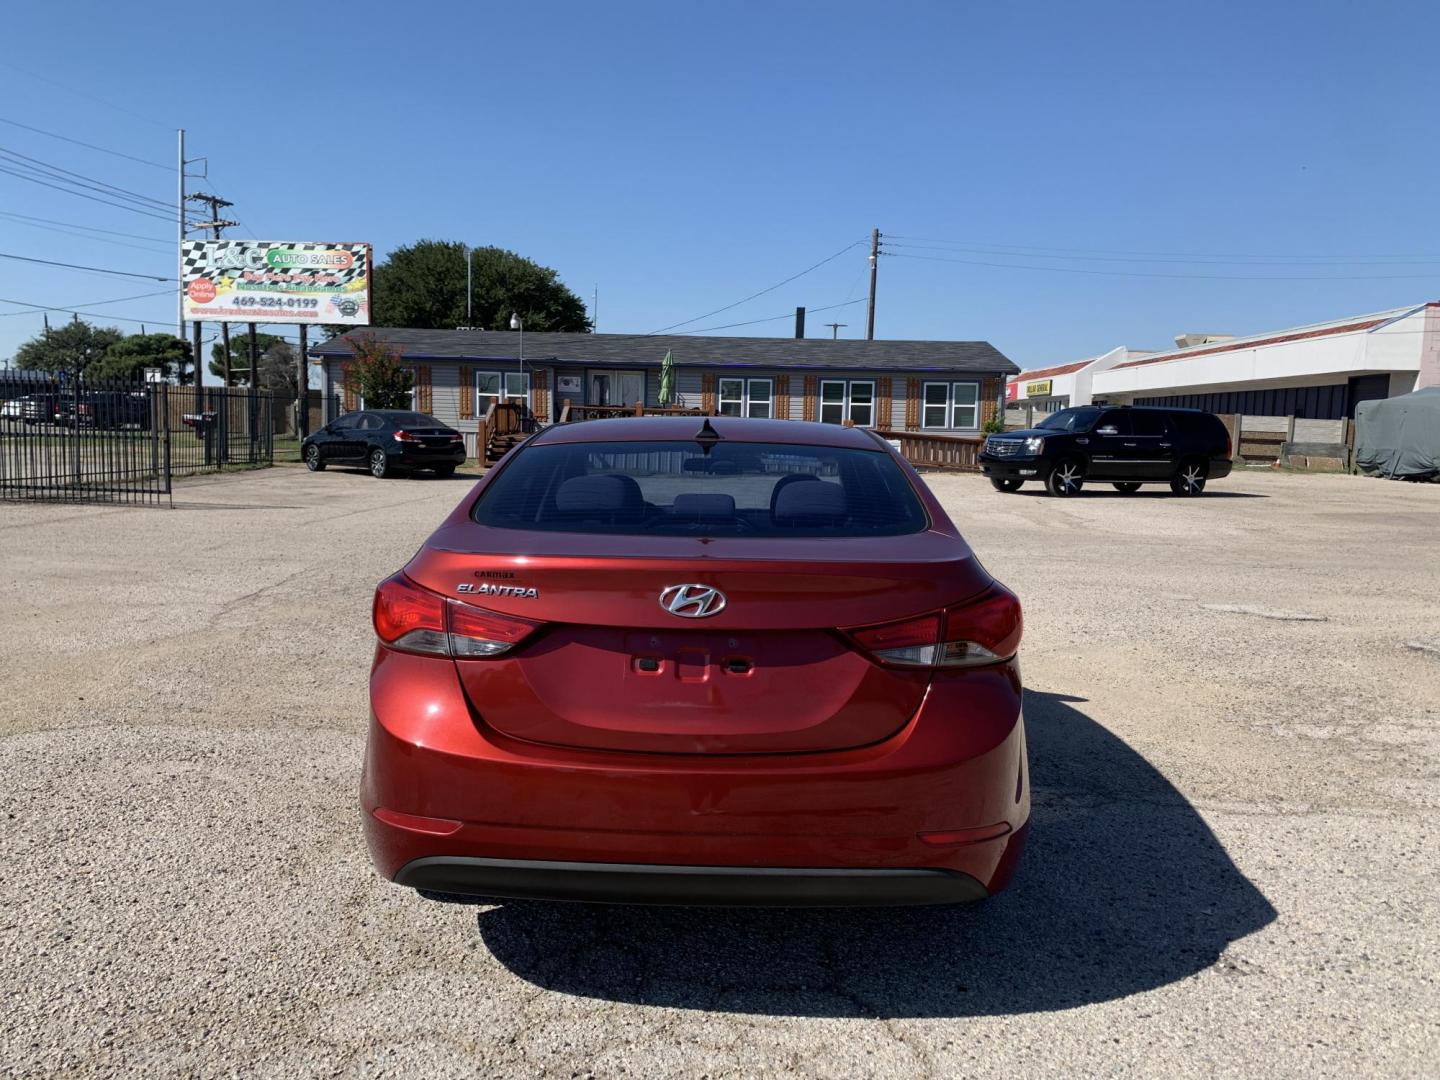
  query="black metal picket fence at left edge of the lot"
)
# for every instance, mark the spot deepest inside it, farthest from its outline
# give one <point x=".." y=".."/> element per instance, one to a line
<point x="94" y="441"/>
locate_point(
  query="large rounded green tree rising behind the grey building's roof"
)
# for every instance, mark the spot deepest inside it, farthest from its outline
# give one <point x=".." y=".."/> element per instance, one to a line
<point x="424" y="286"/>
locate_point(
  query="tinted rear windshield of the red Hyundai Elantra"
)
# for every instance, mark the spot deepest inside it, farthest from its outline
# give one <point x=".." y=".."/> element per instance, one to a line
<point x="676" y="489"/>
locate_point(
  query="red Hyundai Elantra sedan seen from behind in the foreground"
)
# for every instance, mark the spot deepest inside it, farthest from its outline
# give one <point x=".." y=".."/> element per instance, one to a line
<point x="734" y="662"/>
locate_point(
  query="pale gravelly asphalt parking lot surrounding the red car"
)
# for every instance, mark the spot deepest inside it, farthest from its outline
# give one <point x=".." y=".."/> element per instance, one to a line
<point x="1233" y="709"/>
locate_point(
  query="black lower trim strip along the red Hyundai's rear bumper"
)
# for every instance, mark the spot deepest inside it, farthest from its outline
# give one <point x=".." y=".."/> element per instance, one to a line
<point x="633" y="883"/>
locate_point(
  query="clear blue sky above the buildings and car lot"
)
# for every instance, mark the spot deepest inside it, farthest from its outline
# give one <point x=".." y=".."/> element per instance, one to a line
<point x="1120" y="168"/>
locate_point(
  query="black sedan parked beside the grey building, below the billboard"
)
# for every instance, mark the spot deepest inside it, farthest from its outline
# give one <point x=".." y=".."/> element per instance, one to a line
<point x="387" y="441"/>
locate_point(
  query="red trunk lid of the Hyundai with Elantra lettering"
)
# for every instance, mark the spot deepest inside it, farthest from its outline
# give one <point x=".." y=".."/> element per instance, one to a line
<point x="770" y="673"/>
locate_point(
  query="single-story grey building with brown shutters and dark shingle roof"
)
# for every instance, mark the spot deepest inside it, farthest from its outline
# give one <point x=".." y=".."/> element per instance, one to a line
<point x="950" y="388"/>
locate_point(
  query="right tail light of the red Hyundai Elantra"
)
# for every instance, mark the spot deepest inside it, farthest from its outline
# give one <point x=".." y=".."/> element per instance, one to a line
<point x="981" y="631"/>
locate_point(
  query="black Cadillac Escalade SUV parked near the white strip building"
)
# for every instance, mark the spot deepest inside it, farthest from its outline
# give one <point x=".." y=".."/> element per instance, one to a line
<point x="1121" y="446"/>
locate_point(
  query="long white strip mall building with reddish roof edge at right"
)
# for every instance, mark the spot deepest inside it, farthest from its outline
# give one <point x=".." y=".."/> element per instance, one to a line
<point x="1315" y="372"/>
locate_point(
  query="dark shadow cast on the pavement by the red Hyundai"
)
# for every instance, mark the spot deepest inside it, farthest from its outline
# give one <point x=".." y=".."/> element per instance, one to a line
<point x="1122" y="889"/>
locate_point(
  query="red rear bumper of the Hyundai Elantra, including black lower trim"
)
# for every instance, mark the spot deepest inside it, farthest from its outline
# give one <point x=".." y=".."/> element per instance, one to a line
<point x="453" y="806"/>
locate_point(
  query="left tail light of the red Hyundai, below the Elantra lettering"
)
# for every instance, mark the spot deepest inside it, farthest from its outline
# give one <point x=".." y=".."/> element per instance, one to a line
<point x="417" y="620"/>
